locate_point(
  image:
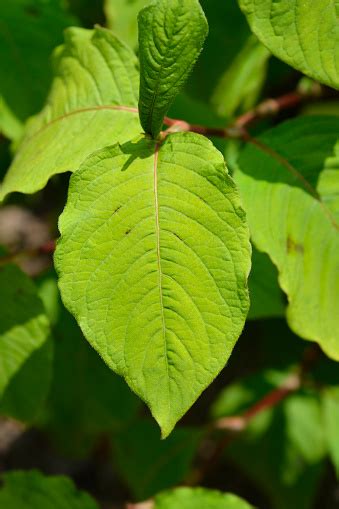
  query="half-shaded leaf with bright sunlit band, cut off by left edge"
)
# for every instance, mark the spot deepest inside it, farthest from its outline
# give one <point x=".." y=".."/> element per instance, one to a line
<point x="25" y="345"/>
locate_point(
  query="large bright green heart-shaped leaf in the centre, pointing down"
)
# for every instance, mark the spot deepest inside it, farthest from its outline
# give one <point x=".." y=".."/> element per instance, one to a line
<point x="153" y="262"/>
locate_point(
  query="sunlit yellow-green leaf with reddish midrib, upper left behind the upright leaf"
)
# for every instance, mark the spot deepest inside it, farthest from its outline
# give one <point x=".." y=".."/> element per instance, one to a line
<point x="92" y="103"/>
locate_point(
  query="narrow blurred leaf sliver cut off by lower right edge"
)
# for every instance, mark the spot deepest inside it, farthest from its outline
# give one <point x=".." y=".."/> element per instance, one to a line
<point x="330" y="401"/>
